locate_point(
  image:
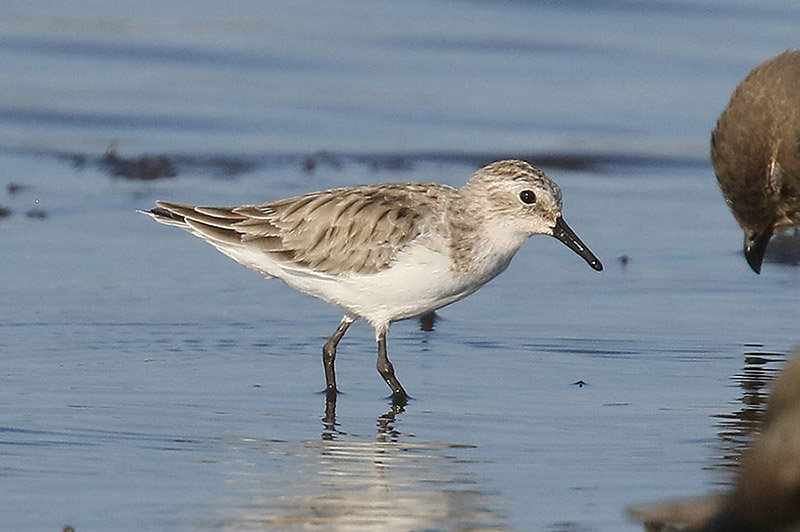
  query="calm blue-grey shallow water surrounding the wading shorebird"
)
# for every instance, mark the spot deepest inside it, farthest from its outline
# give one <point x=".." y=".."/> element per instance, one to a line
<point x="149" y="383"/>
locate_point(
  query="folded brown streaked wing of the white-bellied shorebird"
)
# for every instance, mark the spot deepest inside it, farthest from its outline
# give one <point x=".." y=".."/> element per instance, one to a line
<point x="350" y="230"/>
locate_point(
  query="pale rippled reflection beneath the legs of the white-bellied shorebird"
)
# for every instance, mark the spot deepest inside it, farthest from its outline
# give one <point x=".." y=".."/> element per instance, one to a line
<point x="389" y="483"/>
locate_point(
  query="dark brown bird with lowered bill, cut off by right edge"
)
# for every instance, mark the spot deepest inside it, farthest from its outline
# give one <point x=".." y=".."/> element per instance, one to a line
<point x="755" y="149"/>
